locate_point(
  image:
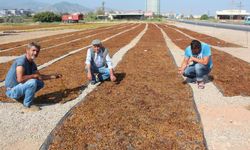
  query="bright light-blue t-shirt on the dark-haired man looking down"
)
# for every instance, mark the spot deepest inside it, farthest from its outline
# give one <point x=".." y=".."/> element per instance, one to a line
<point x="205" y="52"/>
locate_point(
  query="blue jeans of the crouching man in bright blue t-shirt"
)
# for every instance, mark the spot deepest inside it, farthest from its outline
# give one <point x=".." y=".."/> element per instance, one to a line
<point x="197" y="71"/>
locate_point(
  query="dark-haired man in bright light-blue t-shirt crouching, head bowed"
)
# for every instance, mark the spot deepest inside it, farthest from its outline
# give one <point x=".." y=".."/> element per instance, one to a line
<point x="197" y="62"/>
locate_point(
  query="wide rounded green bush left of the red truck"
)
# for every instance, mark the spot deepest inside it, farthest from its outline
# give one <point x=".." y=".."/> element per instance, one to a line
<point x="46" y="17"/>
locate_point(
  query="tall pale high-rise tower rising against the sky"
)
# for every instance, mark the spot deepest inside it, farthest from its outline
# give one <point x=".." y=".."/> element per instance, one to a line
<point x="153" y="6"/>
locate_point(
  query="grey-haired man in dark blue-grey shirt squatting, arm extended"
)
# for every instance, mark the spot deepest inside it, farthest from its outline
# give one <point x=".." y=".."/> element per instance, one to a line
<point x="24" y="80"/>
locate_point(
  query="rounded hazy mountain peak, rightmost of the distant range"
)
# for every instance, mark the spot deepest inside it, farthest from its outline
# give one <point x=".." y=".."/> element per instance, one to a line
<point x="66" y="7"/>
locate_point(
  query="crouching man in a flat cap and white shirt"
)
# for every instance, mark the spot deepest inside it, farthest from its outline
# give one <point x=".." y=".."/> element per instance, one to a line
<point x="98" y="63"/>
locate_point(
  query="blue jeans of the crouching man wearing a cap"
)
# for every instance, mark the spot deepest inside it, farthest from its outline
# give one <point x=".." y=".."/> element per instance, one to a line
<point x="104" y="73"/>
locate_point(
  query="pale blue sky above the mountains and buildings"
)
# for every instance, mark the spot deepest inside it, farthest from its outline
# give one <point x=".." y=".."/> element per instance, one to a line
<point x="194" y="7"/>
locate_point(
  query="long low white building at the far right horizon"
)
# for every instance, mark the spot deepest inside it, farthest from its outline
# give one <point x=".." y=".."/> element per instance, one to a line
<point x="232" y="14"/>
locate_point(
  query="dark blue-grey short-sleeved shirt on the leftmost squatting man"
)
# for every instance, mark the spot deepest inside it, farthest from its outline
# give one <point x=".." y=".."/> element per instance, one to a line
<point x="29" y="68"/>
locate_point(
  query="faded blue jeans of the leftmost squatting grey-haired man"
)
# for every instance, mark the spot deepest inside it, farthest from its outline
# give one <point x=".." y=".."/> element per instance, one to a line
<point x="27" y="89"/>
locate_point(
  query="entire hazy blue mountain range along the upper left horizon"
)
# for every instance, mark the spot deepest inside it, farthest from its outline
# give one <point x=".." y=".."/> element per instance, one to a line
<point x="61" y="7"/>
